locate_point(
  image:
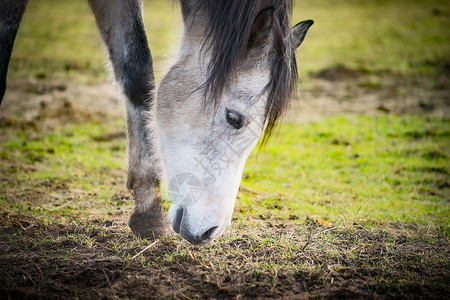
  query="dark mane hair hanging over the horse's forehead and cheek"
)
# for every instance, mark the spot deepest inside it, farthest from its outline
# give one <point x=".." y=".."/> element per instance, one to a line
<point x="226" y="37"/>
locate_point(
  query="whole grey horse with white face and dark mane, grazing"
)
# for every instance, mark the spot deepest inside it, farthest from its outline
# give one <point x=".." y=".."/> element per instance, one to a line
<point x="237" y="57"/>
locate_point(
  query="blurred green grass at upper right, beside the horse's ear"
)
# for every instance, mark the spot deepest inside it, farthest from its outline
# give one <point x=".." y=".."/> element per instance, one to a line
<point x="378" y="35"/>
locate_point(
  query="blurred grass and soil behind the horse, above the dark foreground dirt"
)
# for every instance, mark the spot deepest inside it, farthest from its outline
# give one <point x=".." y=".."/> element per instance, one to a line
<point x="374" y="101"/>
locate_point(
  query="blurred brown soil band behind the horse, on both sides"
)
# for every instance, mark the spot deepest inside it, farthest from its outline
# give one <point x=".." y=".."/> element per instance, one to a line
<point x="336" y="90"/>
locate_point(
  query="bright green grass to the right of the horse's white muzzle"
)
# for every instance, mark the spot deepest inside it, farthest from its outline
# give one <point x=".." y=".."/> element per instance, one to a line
<point x="353" y="168"/>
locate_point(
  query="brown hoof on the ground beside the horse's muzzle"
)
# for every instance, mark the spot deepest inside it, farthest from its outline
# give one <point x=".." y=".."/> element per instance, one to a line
<point x="149" y="225"/>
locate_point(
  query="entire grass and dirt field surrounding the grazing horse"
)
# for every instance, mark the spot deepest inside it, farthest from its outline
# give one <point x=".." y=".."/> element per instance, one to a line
<point x="349" y="199"/>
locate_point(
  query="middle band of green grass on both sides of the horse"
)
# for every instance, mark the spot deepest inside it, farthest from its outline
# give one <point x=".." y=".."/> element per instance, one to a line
<point x="345" y="169"/>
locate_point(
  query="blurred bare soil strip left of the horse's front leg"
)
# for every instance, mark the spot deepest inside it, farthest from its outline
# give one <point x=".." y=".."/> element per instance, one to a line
<point x="54" y="103"/>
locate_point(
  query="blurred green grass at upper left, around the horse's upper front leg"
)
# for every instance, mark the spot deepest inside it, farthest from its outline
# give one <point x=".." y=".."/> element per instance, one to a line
<point x="60" y="38"/>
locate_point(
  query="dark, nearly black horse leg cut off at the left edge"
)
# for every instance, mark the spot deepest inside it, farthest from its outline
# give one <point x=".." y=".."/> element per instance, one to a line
<point x="11" y="13"/>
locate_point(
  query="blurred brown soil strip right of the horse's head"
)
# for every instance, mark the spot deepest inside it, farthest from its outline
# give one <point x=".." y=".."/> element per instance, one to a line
<point x="340" y="90"/>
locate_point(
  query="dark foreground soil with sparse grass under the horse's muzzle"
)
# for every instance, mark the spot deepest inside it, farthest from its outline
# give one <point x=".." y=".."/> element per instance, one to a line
<point x="103" y="260"/>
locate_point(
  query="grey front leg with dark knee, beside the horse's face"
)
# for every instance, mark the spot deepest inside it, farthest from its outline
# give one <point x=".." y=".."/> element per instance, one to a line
<point x="121" y="27"/>
